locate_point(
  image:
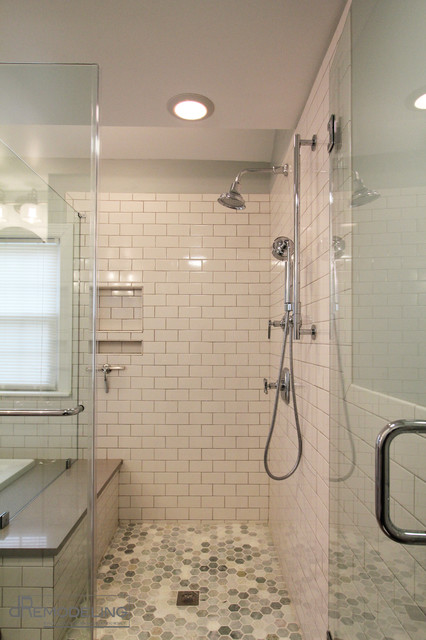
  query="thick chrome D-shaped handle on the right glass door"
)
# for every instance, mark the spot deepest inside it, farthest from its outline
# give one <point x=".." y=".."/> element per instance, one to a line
<point x="383" y="442"/>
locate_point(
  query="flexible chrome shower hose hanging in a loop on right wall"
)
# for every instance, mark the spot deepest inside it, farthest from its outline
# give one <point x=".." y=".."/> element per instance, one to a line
<point x="286" y="332"/>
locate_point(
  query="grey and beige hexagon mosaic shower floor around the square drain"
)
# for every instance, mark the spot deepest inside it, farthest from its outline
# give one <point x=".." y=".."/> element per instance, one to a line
<point x="233" y="566"/>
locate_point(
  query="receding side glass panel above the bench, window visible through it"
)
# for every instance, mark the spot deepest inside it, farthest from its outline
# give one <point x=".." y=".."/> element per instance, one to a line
<point x="41" y="327"/>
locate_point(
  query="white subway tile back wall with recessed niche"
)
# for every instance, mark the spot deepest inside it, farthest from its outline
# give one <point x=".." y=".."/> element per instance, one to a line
<point x="188" y="415"/>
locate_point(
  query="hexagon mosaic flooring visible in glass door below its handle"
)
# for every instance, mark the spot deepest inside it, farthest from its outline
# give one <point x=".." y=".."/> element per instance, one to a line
<point x="368" y="599"/>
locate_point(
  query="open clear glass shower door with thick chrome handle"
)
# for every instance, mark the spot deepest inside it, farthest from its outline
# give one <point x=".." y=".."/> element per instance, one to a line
<point x="378" y="309"/>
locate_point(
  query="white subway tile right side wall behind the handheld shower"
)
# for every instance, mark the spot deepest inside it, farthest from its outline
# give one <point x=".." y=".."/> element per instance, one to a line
<point x="299" y="506"/>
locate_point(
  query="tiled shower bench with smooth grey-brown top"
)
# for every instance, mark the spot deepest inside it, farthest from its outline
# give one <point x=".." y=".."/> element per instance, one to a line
<point x="44" y="550"/>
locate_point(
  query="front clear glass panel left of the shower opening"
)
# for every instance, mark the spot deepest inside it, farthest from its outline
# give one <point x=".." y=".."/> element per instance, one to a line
<point x="47" y="250"/>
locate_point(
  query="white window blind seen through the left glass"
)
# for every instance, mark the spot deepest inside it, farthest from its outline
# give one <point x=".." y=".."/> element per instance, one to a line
<point x="29" y="315"/>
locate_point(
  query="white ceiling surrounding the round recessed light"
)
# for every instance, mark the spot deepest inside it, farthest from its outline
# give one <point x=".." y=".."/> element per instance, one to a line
<point x="256" y="59"/>
